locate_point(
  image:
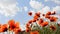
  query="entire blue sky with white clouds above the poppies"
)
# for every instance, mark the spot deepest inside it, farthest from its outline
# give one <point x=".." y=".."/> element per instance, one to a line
<point x="18" y="9"/>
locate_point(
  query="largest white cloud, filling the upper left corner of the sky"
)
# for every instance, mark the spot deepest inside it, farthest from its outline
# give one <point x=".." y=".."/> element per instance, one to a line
<point x="8" y="7"/>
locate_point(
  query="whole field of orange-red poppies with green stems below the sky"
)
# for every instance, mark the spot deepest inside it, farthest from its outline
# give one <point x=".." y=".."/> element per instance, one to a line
<point x="40" y="24"/>
